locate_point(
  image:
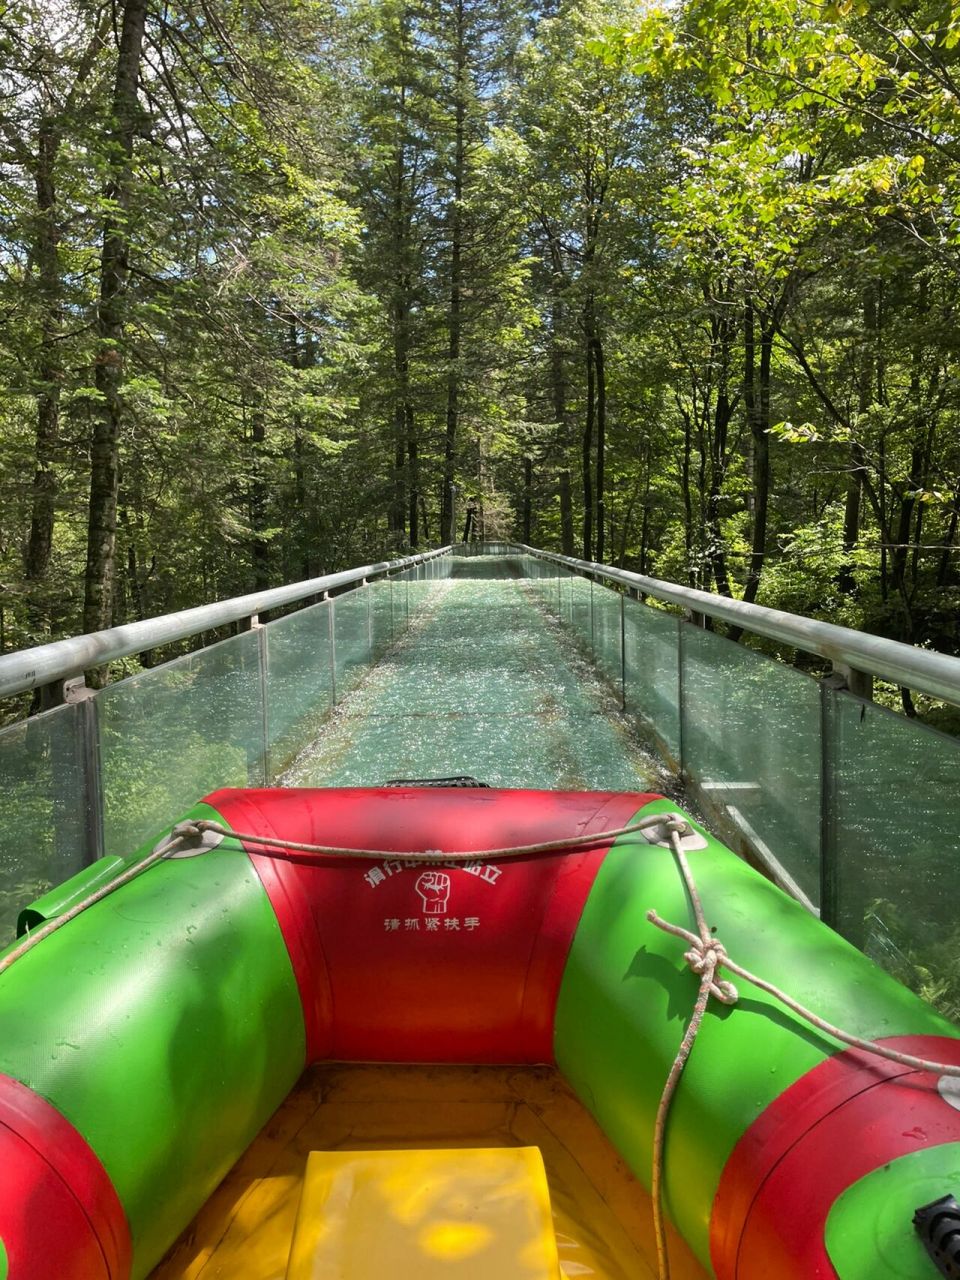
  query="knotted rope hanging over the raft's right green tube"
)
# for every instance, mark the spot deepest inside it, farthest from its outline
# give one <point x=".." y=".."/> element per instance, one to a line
<point x="707" y="957"/>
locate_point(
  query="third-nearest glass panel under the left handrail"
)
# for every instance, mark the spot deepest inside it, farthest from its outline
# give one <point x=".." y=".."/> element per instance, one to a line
<point x="299" y="682"/>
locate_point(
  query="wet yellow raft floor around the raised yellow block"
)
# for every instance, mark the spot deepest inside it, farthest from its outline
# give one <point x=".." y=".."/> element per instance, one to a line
<point x="602" y="1215"/>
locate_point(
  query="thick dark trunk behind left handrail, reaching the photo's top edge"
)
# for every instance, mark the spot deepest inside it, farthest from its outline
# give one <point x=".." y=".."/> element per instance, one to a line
<point x="115" y="275"/>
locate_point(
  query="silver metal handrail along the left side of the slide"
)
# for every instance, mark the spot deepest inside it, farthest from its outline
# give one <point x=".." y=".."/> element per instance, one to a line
<point x="65" y="660"/>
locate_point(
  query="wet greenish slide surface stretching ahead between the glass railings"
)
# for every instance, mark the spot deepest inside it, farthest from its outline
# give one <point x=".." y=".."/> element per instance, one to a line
<point x="482" y="684"/>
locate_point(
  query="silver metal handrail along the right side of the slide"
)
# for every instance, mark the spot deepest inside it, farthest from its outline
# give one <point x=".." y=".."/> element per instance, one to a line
<point x="924" y="670"/>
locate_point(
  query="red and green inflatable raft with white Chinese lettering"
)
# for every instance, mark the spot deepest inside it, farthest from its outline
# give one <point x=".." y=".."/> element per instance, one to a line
<point x="147" y="1044"/>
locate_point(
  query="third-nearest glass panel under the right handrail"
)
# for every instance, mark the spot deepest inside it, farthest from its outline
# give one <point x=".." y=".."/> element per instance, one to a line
<point x="652" y="664"/>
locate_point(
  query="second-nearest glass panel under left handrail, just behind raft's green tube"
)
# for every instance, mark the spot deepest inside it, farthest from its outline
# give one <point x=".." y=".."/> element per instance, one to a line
<point x="176" y="733"/>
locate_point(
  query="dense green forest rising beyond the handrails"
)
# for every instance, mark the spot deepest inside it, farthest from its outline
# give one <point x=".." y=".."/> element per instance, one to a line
<point x="298" y="285"/>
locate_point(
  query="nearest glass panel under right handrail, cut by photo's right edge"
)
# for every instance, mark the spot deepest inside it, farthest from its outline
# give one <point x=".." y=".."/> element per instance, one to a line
<point x="894" y="844"/>
